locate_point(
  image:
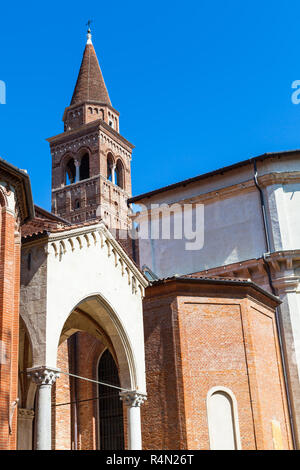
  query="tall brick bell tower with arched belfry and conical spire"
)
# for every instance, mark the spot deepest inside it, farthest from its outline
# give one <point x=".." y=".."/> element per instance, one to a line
<point x="91" y="174"/>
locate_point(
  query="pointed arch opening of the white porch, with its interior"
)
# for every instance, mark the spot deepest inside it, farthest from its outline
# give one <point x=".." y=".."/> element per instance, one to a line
<point x="94" y="352"/>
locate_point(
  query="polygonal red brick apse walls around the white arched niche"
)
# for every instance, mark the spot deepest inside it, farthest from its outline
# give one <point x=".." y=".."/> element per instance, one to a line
<point x="199" y="339"/>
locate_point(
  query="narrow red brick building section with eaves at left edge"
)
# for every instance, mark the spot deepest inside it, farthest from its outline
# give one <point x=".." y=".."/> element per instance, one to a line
<point x="16" y="207"/>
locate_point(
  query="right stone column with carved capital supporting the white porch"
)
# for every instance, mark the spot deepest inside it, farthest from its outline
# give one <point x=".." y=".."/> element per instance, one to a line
<point x="133" y="400"/>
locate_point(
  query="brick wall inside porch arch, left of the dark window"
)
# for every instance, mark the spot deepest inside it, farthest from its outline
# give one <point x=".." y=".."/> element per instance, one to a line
<point x="77" y="427"/>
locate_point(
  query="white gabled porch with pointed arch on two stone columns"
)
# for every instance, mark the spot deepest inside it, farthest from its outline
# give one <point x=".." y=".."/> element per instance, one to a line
<point x="89" y="287"/>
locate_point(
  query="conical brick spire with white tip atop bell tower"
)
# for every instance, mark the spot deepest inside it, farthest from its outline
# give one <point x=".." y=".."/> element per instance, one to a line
<point x="90" y="84"/>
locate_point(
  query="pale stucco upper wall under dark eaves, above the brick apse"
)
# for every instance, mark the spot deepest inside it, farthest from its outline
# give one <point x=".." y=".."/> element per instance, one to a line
<point x="233" y="225"/>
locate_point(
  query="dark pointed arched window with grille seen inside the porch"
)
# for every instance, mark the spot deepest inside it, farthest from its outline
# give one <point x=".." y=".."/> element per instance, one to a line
<point x="111" y="428"/>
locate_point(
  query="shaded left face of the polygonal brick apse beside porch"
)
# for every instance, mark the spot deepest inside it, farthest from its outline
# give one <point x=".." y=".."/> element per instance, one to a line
<point x="163" y="421"/>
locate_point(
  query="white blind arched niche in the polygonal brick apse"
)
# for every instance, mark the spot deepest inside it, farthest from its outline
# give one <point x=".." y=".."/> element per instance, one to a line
<point x="223" y="425"/>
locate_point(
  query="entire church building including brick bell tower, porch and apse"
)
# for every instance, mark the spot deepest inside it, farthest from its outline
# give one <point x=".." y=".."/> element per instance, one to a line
<point x="113" y="340"/>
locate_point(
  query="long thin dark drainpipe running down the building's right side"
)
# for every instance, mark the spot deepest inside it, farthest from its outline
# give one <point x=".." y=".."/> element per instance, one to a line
<point x="277" y="317"/>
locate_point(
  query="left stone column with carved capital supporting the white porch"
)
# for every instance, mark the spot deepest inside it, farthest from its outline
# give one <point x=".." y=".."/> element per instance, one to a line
<point x="44" y="377"/>
